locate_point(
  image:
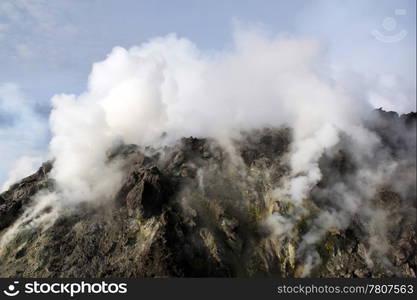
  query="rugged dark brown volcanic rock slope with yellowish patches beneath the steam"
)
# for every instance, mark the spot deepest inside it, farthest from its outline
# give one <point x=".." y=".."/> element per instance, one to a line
<point x="197" y="209"/>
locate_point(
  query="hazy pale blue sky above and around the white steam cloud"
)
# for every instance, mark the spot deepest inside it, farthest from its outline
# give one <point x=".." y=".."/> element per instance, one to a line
<point x="48" y="47"/>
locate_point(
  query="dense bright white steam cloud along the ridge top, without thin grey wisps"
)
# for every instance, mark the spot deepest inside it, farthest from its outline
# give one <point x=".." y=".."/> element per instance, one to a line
<point x="169" y="86"/>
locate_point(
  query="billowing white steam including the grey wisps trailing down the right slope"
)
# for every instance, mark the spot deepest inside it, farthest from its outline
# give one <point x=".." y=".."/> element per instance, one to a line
<point x="167" y="88"/>
